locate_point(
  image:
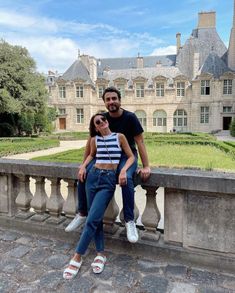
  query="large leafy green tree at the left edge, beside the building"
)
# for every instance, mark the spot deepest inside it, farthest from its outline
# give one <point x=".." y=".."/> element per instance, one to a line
<point x="23" y="96"/>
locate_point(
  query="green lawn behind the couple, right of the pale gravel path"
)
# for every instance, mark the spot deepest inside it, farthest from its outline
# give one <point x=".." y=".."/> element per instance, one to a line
<point x="167" y="155"/>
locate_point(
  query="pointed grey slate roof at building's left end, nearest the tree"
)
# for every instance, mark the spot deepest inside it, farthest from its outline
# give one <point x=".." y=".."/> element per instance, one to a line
<point x="77" y="71"/>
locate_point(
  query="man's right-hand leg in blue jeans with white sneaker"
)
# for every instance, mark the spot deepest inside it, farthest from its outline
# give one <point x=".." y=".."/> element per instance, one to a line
<point x="128" y="193"/>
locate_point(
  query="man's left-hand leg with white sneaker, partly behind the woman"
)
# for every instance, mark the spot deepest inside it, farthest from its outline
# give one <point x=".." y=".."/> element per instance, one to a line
<point x="81" y="214"/>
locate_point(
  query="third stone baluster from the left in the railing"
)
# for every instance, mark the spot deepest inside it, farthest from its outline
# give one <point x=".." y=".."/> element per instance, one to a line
<point x="55" y="201"/>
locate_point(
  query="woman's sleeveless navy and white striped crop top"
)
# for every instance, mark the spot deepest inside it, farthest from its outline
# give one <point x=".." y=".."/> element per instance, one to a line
<point x="108" y="150"/>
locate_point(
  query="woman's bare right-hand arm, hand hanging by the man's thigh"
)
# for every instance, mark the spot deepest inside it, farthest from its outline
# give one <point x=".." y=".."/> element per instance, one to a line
<point x="122" y="180"/>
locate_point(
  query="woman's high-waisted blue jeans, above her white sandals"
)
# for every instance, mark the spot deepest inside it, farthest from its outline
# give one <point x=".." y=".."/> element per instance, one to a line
<point x="100" y="187"/>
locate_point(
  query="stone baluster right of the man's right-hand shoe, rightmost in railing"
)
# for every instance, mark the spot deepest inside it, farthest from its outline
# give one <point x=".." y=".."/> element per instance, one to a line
<point x="151" y="215"/>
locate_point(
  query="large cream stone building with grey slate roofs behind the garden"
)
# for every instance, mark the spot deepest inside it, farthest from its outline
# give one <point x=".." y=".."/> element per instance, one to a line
<point x="193" y="90"/>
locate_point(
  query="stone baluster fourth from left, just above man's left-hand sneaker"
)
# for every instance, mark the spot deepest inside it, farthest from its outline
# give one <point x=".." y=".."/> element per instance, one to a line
<point x="71" y="203"/>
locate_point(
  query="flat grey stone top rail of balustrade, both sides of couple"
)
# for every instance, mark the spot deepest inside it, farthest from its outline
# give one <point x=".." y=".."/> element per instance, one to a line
<point x="186" y="179"/>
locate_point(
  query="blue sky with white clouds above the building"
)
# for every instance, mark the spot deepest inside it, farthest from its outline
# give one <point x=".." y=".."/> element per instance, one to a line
<point x="54" y="31"/>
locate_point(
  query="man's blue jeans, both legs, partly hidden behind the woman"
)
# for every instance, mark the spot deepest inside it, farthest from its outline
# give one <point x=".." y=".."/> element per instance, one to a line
<point x="128" y="191"/>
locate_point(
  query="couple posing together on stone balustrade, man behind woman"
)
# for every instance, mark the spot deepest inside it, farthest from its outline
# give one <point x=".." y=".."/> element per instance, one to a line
<point x="110" y="153"/>
